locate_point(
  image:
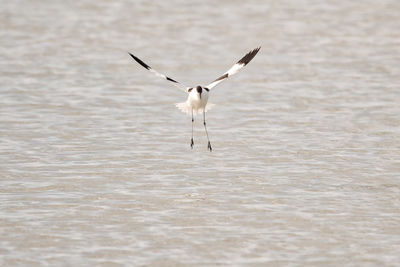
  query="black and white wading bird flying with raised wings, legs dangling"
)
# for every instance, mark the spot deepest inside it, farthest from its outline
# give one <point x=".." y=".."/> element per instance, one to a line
<point x="197" y="101"/>
